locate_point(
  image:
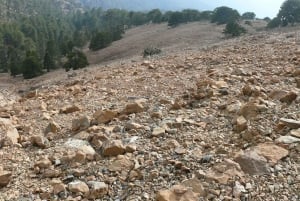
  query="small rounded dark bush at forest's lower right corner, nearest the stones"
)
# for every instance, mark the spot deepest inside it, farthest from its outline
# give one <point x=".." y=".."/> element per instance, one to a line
<point x="76" y="60"/>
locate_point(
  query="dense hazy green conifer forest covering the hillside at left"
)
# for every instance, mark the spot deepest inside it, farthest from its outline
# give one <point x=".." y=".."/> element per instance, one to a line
<point x="36" y="36"/>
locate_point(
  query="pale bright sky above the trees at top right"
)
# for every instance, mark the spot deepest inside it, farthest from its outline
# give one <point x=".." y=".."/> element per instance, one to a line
<point x="262" y="8"/>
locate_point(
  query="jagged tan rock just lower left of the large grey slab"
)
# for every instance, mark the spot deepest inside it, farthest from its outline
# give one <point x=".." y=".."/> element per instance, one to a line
<point x="224" y="171"/>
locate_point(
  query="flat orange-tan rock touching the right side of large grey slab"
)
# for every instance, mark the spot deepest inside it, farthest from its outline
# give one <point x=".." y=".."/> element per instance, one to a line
<point x="271" y="152"/>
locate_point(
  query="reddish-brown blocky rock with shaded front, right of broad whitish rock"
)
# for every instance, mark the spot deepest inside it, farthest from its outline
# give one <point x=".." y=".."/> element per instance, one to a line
<point x="113" y="148"/>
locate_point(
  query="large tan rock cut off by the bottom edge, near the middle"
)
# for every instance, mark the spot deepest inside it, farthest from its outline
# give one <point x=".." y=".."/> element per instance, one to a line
<point x="177" y="192"/>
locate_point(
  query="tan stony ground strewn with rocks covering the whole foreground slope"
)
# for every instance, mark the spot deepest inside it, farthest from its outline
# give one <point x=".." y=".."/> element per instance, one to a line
<point x="221" y="123"/>
